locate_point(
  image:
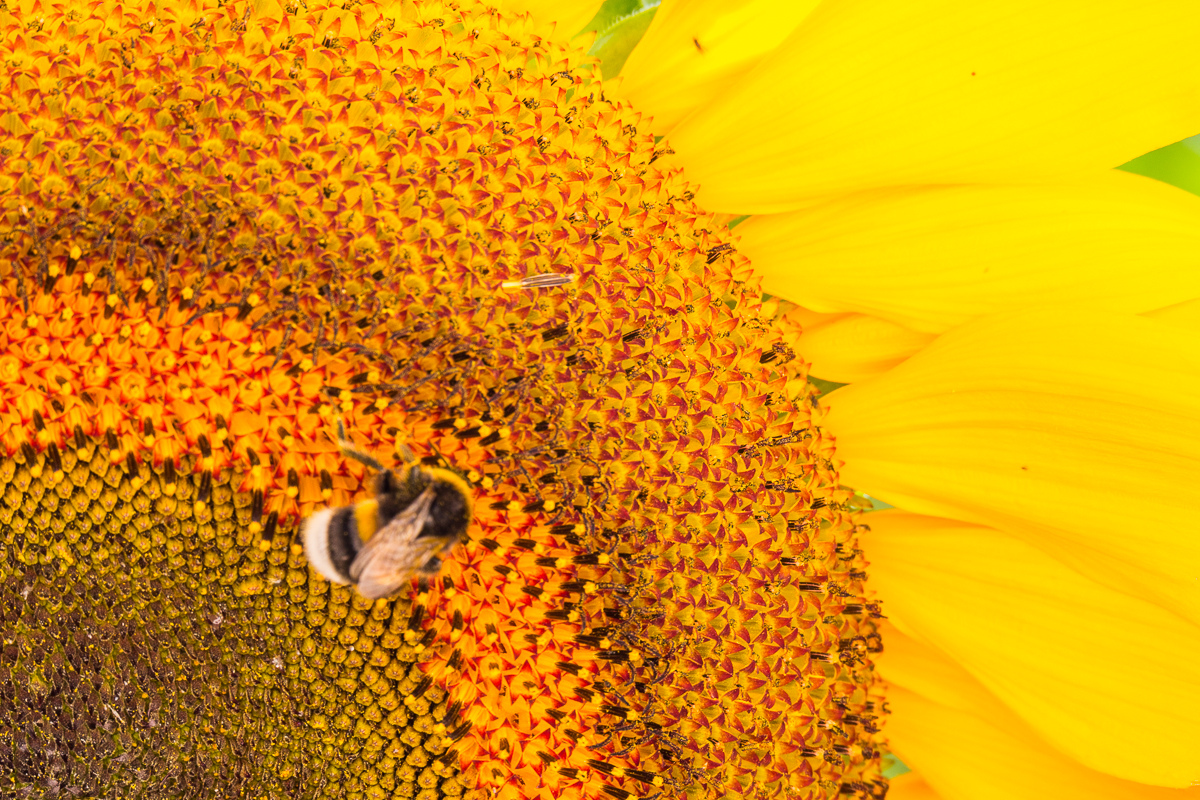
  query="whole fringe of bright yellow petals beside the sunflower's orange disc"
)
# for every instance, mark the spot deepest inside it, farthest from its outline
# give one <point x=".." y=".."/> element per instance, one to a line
<point x="933" y="189"/>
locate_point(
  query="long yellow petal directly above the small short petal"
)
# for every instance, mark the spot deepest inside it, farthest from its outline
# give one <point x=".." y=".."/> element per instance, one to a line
<point x="932" y="258"/>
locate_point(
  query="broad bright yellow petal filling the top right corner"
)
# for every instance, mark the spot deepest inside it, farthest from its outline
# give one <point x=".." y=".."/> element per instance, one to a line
<point x="877" y="93"/>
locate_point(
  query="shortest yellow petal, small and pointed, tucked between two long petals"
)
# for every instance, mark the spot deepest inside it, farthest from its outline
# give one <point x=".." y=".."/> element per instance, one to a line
<point x="845" y="348"/>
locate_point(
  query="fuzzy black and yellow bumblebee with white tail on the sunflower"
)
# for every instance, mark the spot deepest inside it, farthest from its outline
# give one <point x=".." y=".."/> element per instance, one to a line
<point x="416" y="516"/>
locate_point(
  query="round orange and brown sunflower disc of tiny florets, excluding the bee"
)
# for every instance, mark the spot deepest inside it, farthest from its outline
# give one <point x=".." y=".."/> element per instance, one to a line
<point x="229" y="226"/>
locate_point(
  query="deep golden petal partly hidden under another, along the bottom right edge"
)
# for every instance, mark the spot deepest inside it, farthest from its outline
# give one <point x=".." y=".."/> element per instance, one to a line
<point x="969" y="747"/>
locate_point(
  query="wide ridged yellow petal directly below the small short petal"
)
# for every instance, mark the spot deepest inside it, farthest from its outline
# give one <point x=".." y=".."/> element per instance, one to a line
<point x="1076" y="431"/>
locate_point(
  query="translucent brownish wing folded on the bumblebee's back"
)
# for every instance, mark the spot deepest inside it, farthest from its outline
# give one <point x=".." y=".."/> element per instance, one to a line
<point x="397" y="552"/>
